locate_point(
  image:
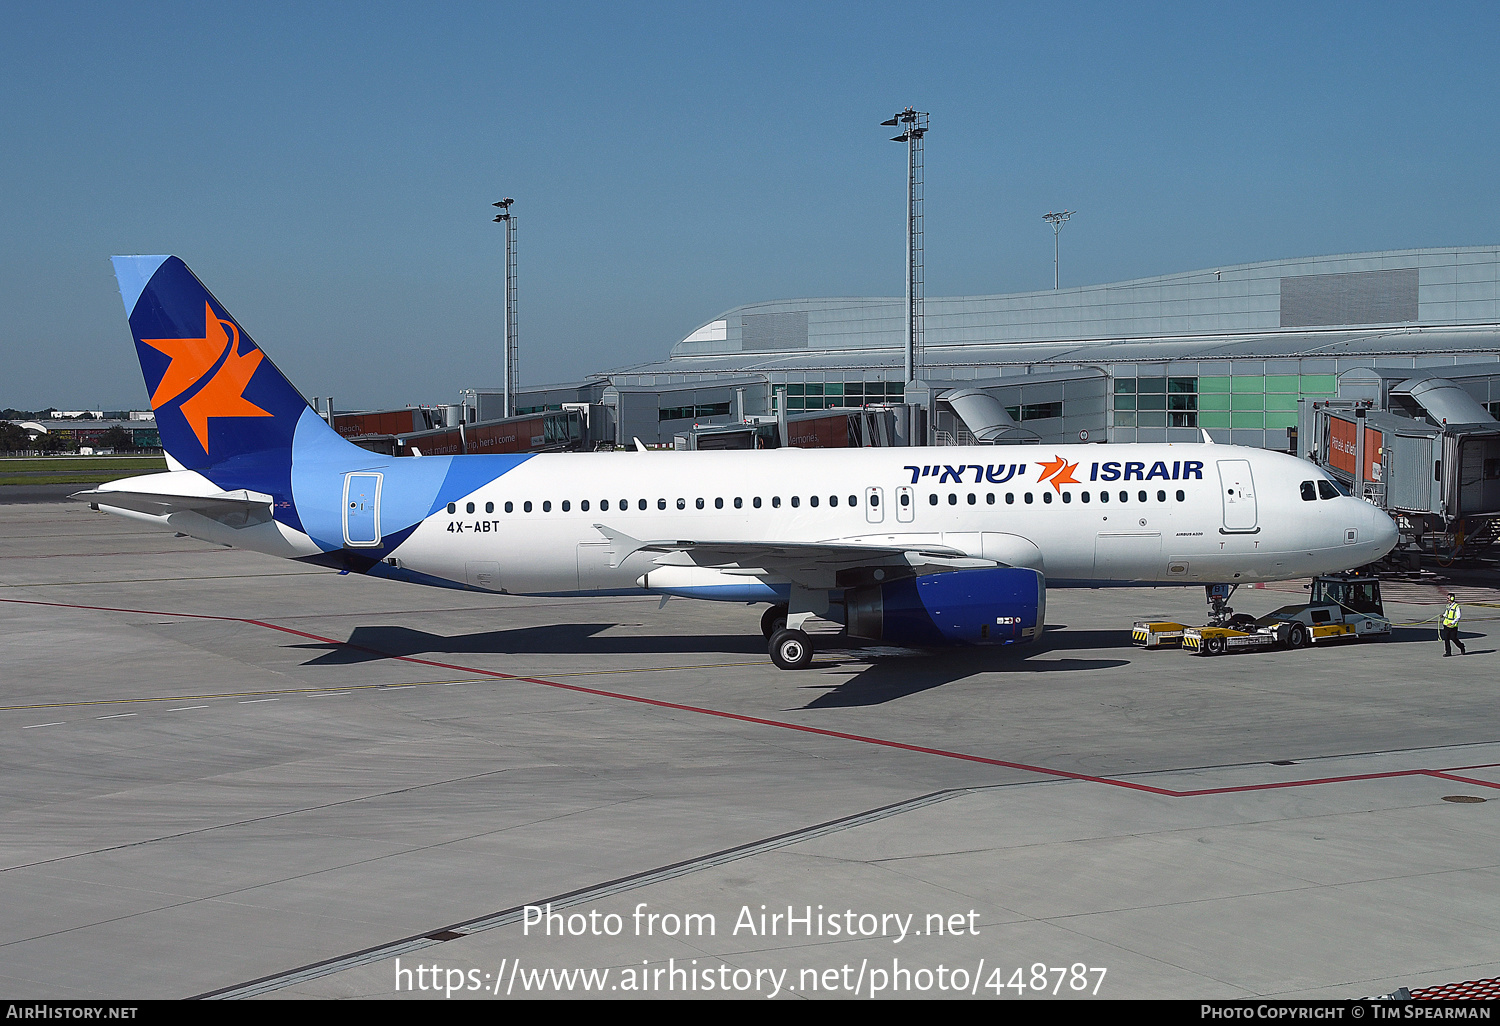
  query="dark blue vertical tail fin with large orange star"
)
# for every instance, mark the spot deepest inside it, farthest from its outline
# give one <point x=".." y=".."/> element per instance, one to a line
<point x="223" y="409"/>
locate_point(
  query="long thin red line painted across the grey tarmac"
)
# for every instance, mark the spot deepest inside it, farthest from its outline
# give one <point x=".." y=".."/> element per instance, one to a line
<point x="784" y="725"/>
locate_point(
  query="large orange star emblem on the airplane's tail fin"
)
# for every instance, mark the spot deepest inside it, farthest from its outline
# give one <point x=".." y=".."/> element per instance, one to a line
<point x="224" y="394"/>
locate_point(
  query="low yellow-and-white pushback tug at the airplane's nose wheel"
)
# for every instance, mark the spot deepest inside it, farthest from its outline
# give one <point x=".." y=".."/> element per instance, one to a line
<point x="1343" y="605"/>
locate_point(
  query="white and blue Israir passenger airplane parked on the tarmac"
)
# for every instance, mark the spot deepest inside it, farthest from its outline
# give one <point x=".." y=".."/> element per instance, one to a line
<point x="908" y="547"/>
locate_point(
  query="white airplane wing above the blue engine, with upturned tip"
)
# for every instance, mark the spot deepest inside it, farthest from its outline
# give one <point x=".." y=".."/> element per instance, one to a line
<point x="812" y="565"/>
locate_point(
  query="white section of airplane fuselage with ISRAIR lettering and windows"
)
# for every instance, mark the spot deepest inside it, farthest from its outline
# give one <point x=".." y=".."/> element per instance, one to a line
<point x="1121" y="515"/>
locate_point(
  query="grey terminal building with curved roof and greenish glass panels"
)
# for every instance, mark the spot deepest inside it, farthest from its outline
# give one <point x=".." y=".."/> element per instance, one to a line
<point x="1229" y="350"/>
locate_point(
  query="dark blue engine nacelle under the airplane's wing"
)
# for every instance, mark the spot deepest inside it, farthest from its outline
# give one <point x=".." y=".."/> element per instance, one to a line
<point x="992" y="607"/>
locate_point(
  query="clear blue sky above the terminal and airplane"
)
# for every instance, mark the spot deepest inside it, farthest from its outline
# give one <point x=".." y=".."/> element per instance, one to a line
<point x="328" y="169"/>
